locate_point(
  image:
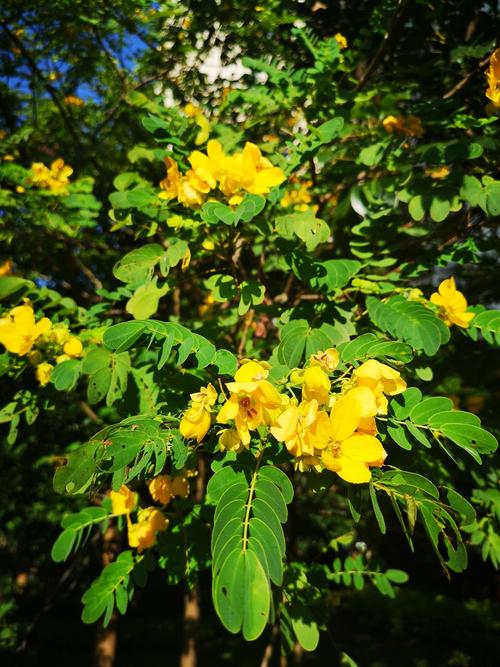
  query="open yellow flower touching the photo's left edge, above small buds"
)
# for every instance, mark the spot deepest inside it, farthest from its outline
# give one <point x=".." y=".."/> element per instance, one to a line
<point x="19" y="331"/>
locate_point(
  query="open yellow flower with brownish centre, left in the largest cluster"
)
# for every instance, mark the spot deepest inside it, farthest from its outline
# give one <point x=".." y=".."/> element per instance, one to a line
<point x="253" y="401"/>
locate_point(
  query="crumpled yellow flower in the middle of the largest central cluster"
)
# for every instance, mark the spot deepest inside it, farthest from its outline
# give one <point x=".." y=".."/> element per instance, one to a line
<point x="304" y="429"/>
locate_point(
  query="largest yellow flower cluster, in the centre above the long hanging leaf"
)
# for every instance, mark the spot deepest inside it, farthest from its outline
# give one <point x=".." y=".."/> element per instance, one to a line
<point x="332" y="430"/>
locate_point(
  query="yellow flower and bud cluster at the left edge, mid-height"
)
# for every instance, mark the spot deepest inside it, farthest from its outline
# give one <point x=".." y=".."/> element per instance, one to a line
<point x="20" y="332"/>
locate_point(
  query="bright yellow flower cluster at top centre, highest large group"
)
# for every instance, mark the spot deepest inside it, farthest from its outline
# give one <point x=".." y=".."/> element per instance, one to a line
<point x="233" y="175"/>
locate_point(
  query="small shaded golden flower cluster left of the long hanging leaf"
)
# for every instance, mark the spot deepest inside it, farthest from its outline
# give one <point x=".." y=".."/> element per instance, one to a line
<point x="150" y="520"/>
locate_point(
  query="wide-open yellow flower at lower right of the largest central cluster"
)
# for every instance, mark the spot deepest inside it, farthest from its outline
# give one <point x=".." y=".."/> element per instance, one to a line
<point x="348" y="452"/>
